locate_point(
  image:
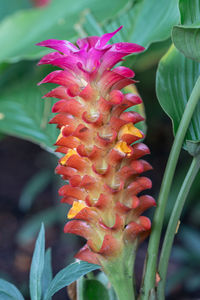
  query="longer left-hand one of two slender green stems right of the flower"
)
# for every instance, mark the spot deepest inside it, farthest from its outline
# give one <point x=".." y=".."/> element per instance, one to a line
<point x="150" y="272"/>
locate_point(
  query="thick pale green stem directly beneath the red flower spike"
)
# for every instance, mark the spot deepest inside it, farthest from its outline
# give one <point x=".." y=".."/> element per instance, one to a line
<point x="120" y="273"/>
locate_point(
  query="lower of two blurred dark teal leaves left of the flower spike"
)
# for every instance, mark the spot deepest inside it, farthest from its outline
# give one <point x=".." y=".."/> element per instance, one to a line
<point x="49" y="217"/>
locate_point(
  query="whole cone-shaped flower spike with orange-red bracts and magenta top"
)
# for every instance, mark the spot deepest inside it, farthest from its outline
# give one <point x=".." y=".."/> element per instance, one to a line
<point x="97" y="137"/>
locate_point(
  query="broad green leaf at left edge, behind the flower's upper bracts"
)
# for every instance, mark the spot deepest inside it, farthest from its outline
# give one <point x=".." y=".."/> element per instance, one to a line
<point x="25" y="114"/>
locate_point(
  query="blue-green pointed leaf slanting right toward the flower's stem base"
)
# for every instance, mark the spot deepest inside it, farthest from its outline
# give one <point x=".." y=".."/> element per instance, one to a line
<point x="68" y="275"/>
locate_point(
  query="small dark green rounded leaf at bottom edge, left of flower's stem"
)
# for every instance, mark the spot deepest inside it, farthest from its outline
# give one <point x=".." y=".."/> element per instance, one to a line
<point x="94" y="289"/>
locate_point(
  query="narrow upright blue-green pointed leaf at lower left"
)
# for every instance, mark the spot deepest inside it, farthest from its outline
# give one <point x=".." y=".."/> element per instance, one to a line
<point x="37" y="266"/>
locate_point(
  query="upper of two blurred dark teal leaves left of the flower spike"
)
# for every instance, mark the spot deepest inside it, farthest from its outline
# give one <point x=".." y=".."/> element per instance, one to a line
<point x="33" y="188"/>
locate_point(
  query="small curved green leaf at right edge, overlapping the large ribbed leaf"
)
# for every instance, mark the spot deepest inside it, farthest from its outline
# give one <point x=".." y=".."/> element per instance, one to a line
<point x="187" y="40"/>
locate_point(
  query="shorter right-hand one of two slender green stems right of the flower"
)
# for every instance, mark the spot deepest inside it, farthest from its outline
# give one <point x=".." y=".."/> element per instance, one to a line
<point x="173" y="223"/>
